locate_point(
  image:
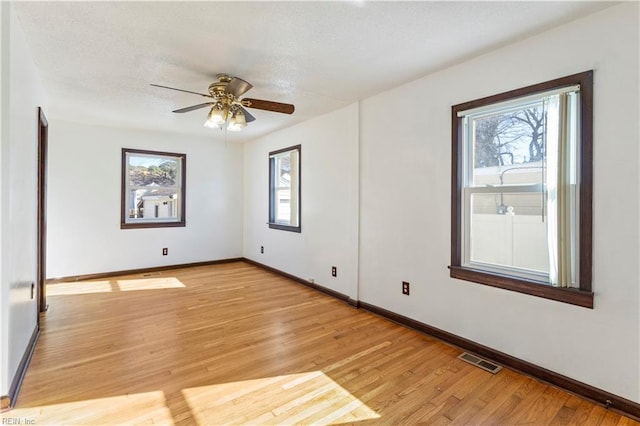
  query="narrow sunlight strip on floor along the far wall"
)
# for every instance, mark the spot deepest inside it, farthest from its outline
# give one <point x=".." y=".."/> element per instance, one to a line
<point x="89" y="287"/>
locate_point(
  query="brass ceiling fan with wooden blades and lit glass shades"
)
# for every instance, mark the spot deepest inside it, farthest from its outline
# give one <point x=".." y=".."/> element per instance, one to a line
<point x="226" y="106"/>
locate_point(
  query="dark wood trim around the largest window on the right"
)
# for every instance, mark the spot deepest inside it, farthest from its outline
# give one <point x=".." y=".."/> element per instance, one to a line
<point x="582" y="296"/>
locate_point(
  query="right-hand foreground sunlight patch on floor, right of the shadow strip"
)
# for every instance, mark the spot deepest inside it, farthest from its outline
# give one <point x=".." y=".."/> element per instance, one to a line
<point x="306" y="398"/>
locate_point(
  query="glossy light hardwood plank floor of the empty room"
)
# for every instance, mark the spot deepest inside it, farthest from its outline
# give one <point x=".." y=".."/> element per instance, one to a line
<point x="235" y="344"/>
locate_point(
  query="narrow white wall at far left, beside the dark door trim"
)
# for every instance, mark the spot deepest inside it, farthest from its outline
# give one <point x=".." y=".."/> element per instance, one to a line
<point x="22" y="93"/>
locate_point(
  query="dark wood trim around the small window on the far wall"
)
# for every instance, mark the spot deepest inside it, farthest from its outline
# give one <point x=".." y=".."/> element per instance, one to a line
<point x="123" y="190"/>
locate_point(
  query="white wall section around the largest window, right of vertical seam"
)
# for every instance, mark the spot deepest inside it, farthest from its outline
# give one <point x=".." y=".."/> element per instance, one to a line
<point x="405" y="206"/>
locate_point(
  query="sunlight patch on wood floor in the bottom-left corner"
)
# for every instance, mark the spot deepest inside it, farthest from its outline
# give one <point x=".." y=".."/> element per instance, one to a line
<point x="148" y="407"/>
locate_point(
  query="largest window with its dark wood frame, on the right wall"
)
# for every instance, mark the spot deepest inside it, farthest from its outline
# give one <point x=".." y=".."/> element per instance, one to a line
<point x="521" y="190"/>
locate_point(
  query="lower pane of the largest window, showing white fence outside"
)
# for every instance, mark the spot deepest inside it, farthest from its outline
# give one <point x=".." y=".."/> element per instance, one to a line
<point x="508" y="230"/>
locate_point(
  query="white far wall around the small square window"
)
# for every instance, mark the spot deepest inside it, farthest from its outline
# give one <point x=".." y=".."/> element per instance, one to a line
<point x="85" y="172"/>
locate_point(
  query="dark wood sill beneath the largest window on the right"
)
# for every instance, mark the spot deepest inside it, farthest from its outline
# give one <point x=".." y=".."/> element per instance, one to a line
<point x="533" y="288"/>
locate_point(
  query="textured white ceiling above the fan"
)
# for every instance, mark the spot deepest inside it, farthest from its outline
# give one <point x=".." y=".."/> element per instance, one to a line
<point x="97" y="58"/>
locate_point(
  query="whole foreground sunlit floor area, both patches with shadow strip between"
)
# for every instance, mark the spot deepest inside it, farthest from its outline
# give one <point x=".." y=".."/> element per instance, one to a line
<point x="306" y="398"/>
